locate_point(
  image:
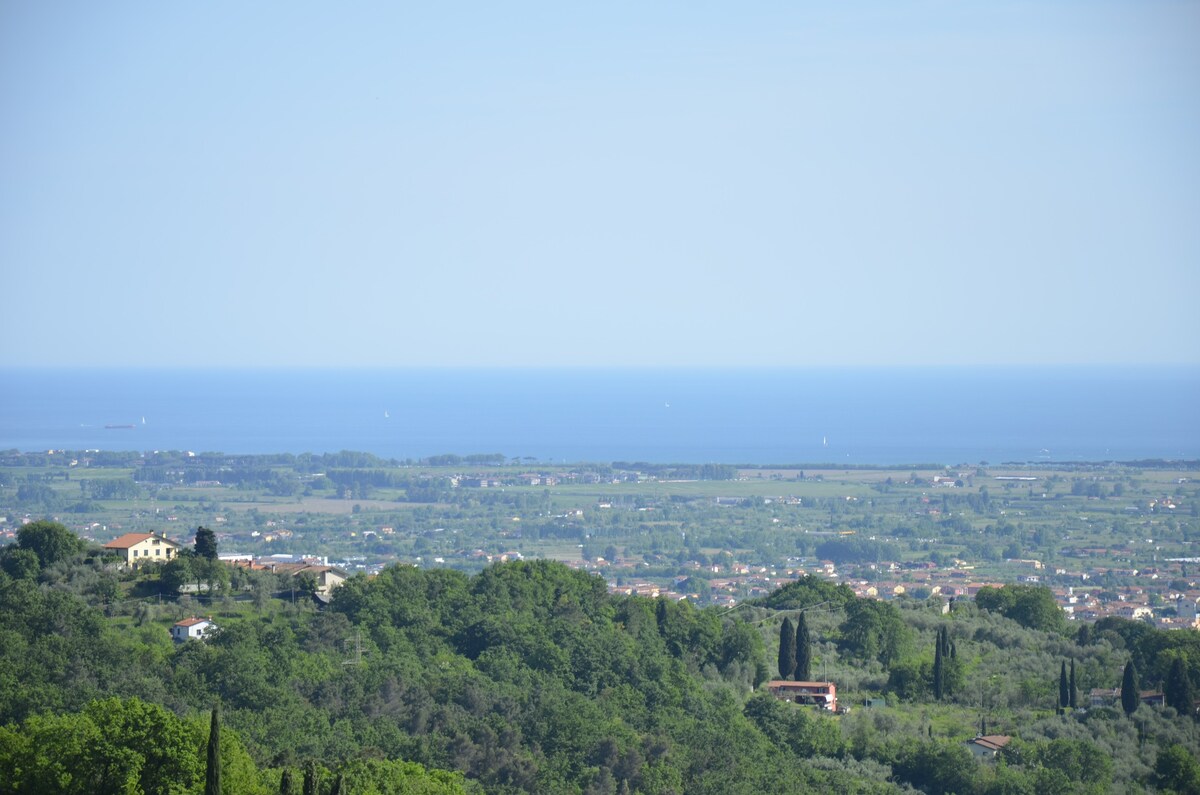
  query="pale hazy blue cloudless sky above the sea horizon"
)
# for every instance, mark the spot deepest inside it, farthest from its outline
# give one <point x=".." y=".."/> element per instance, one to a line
<point x="617" y="183"/>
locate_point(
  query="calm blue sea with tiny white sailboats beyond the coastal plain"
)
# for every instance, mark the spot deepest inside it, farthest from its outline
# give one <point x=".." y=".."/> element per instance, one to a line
<point x="887" y="416"/>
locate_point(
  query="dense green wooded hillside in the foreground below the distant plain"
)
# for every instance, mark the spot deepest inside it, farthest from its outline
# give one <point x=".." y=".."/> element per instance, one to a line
<point x="532" y="678"/>
